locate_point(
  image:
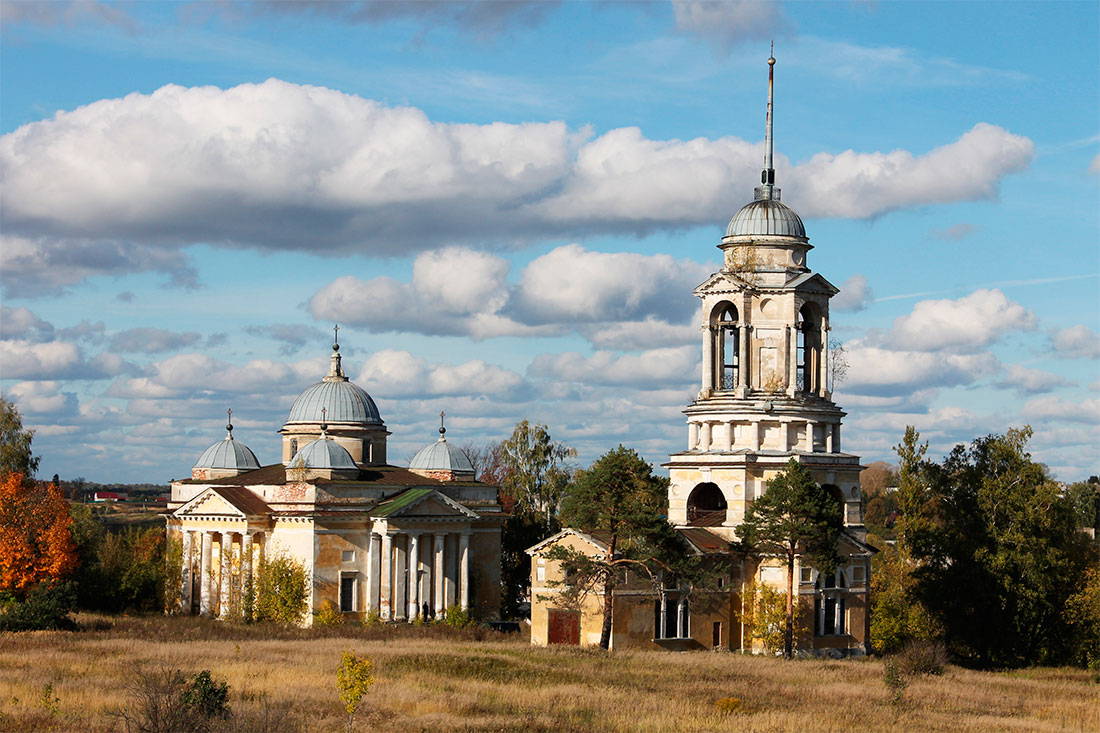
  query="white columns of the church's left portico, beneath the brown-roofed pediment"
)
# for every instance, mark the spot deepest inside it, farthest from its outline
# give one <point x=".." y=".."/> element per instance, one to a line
<point x="216" y="584"/>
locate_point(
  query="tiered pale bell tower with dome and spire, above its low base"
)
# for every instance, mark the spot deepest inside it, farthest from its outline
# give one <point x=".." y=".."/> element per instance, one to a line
<point x="765" y="396"/>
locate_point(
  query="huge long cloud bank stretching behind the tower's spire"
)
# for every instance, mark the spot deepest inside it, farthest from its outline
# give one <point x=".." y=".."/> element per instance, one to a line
<point x="285" y="167"/>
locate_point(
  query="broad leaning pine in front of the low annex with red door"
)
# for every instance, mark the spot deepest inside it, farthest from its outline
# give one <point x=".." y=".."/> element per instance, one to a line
<point x="620" y="498"/>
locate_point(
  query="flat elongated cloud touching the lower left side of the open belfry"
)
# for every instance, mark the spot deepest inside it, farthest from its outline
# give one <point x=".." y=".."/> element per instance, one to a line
<point x="655" y="367"/>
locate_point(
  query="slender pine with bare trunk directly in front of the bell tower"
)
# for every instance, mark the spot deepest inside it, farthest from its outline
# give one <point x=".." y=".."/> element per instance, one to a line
<point x="795" y="518"/>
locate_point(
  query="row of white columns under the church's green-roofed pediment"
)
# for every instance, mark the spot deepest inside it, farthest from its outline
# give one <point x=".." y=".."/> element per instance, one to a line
<point x="403" y="585"/>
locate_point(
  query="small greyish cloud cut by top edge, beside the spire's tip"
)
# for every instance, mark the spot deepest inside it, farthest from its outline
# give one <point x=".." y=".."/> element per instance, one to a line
<point x="725" y="24"/>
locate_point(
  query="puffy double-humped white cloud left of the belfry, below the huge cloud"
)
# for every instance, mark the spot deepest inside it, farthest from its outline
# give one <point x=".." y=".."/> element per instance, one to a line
<point x="458" y="291"/>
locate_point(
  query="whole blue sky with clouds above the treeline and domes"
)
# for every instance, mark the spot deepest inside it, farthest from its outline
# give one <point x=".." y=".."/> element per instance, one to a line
<point x="507" y="207"/>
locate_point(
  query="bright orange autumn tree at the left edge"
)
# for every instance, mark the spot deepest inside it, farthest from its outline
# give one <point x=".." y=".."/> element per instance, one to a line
<point x="36" y="542"/>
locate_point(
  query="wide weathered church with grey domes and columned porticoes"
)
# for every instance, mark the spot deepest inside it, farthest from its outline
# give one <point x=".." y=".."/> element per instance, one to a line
<point x="373" y="539"/>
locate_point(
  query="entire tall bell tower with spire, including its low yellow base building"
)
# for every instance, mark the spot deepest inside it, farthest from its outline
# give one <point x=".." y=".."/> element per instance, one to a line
<point x="765" y="399"/>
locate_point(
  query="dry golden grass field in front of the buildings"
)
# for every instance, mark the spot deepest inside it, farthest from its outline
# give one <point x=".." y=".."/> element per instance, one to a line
<point x="439" y="680"/>
